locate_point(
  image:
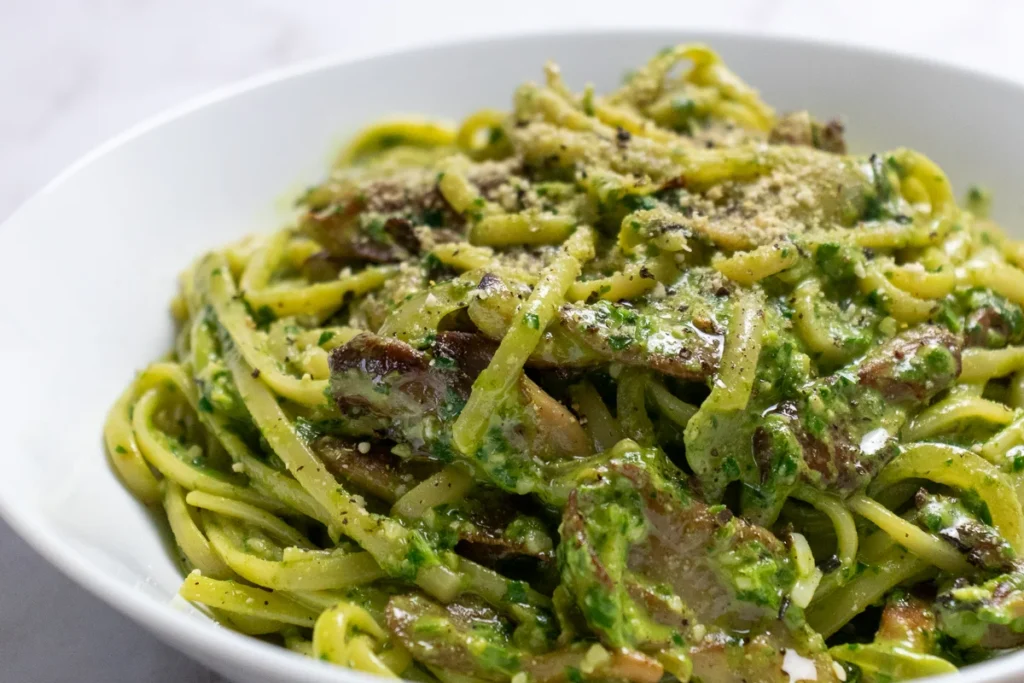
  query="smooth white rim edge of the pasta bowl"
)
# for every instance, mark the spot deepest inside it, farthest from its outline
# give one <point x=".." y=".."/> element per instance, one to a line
<point x="206" y="641"/>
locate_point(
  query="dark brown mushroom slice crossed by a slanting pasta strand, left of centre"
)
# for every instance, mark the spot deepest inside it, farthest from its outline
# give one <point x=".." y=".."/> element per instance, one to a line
<point x="414" y="399"/>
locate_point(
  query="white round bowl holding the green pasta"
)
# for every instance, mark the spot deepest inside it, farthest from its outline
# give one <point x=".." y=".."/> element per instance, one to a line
<point x="90" y="264"/>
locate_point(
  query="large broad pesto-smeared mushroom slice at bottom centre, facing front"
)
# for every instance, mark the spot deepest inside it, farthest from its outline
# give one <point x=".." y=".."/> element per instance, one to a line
<point x="728" y="573"/>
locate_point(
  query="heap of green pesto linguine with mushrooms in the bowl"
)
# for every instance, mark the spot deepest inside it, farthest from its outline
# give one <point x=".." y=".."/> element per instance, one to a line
<point x="658" y="386"/>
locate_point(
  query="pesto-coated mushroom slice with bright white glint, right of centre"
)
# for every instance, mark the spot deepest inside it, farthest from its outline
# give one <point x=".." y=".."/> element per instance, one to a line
<point x="836" y="436"/>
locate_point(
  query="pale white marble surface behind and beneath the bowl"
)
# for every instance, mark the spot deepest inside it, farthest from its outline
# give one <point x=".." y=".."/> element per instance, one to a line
<point x="75" y="72"/>
